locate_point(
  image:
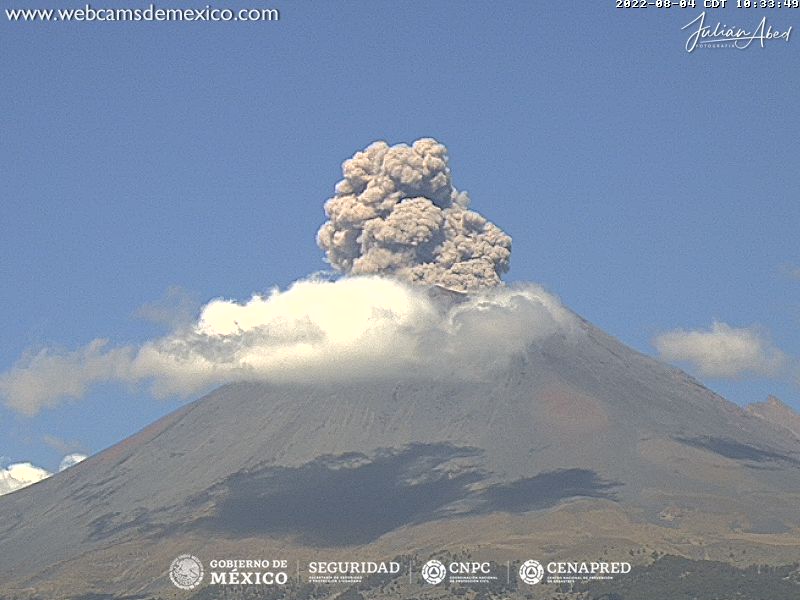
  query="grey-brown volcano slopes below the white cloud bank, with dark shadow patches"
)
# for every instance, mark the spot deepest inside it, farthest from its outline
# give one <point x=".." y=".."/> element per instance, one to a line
<point x="579" y="447"/>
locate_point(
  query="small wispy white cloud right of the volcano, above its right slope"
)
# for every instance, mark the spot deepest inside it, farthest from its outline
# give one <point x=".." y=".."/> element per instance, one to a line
<point x="722" y="351"/>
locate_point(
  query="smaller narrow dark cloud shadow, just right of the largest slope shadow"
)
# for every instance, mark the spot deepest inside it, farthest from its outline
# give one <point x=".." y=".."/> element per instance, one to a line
<point x="546" y="490"/>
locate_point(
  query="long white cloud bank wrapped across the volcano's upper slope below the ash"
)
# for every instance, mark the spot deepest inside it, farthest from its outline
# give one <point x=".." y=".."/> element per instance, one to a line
<point x="355" y="327"/>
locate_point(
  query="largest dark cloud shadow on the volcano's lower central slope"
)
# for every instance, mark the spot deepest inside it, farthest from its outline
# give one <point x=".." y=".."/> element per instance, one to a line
<point x="345" y="500"/>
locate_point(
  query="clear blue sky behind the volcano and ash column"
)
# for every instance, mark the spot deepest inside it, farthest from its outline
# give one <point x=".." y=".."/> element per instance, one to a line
<point x="650" y="188"/>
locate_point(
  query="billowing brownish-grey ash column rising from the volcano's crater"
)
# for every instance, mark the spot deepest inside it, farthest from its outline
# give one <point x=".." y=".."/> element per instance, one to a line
<point x="396" y="212"/>
